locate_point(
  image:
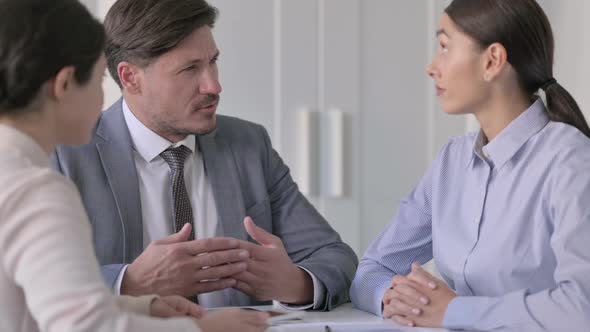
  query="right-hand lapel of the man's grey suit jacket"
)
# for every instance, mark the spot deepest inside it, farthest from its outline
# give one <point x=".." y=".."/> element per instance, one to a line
<point x="221" y="169"/>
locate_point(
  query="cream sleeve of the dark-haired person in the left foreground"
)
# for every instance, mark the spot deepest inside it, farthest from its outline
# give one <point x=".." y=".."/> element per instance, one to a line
<point x="46" y="246"/>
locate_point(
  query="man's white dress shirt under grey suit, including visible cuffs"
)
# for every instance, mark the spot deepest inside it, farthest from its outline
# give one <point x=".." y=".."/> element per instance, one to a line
<point x="156" y="204"/>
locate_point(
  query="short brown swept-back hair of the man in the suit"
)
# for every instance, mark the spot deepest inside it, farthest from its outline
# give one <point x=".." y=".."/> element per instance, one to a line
<point x="139" y="31"/>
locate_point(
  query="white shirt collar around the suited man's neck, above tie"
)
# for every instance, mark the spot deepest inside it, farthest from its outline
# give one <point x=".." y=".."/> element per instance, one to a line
<point x="147" y="143"/>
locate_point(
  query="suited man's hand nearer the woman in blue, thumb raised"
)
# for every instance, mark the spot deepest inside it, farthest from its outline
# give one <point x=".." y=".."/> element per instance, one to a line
<point x="271" y="275"/>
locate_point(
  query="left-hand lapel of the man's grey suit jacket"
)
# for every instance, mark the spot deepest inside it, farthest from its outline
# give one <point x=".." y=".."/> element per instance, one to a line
<point x="116" y="154"/>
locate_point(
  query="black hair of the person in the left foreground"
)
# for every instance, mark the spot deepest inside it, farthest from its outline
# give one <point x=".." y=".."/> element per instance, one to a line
<point x="38" y="38"/>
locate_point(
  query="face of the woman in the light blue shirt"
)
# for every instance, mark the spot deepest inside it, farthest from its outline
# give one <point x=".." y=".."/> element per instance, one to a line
<point x="458" y="70"/>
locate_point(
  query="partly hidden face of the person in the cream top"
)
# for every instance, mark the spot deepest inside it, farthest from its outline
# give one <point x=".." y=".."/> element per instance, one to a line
<point x="82" y="108"/>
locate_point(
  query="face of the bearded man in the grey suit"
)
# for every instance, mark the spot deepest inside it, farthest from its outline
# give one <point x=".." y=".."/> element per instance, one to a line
<point x="179" y="91"/>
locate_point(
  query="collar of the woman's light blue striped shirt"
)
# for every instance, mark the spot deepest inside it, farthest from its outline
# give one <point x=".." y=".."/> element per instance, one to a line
<point x="504" y="146"/>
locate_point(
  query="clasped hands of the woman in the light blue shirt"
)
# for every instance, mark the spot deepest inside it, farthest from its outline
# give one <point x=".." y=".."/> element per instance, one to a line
<point x="418" y="299"/>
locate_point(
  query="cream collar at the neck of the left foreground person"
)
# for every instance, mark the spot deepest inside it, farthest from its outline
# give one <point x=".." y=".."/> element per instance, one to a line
<point x="25" y="144"/>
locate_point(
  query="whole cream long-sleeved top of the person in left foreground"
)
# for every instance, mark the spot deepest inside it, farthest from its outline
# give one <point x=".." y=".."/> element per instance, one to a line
<point x="49" y="275"/>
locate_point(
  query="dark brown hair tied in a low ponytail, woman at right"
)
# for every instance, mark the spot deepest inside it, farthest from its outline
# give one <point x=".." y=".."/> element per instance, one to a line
<point x="523" y="29"/>
